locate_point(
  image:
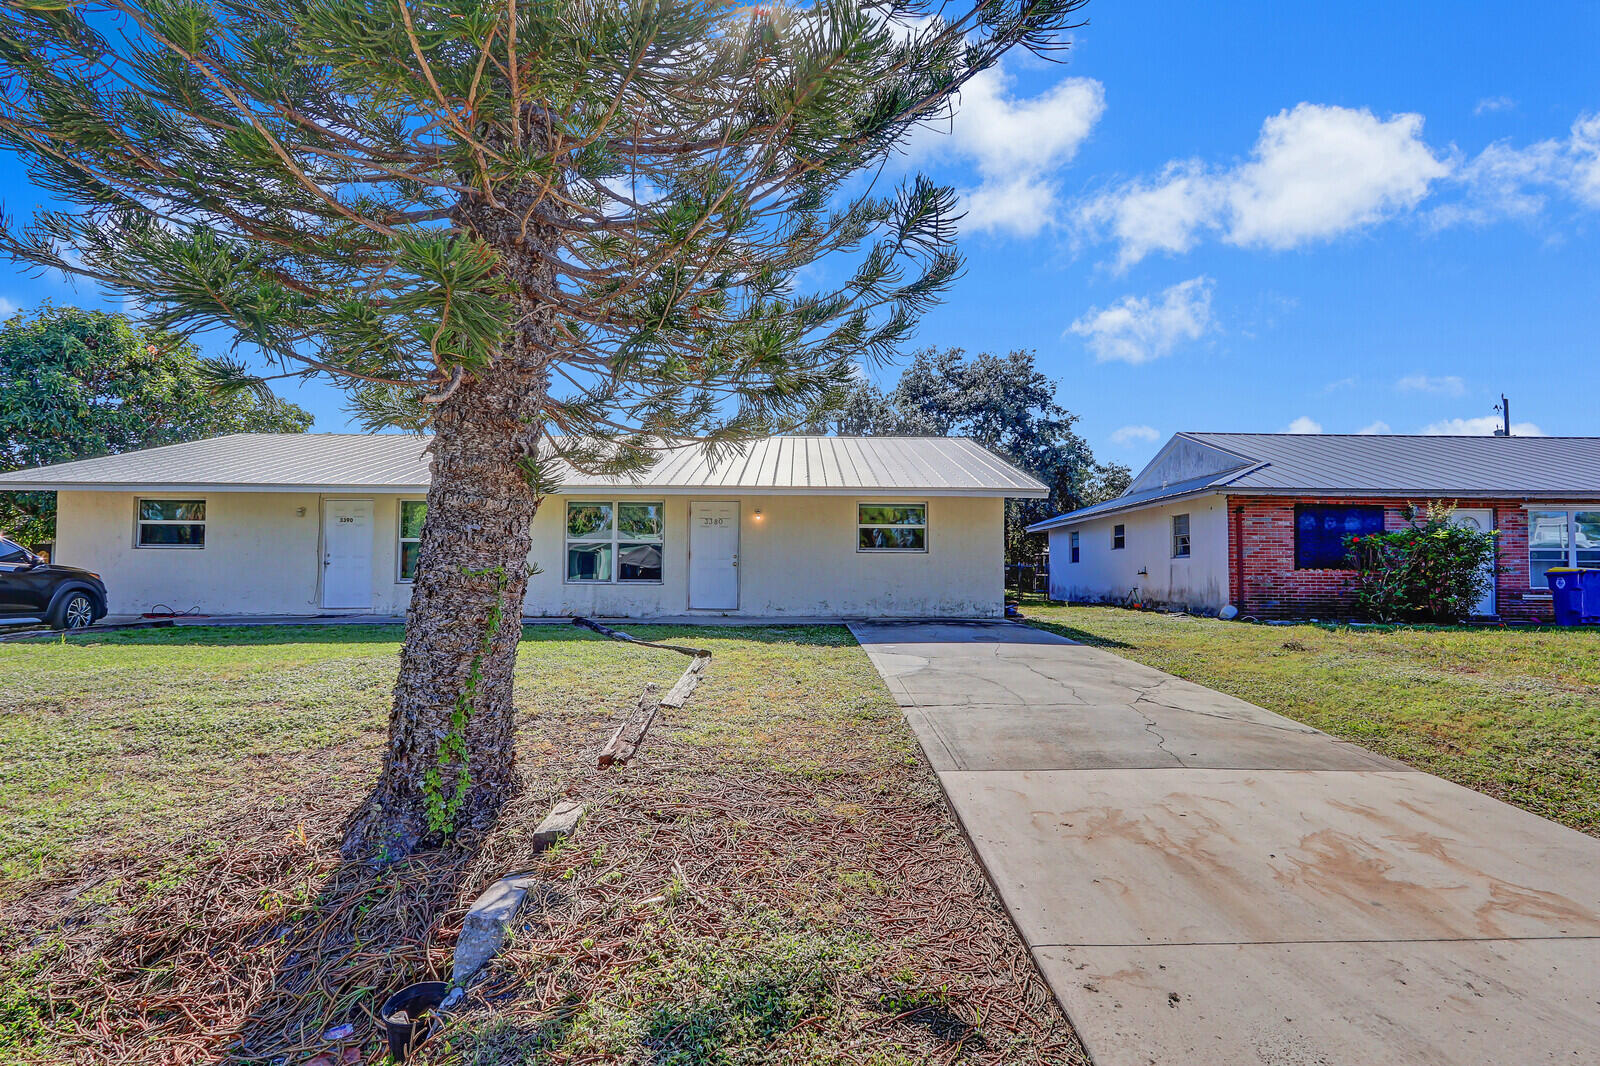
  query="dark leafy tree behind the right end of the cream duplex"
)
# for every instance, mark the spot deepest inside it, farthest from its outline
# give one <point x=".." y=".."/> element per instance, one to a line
<point x="1002" y="403"/>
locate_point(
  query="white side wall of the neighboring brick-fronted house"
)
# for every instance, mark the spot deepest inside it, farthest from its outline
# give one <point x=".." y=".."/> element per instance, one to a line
<point x="1105" y="574"/>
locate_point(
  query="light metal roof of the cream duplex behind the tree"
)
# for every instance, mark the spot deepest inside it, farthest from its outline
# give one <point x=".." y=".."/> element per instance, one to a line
<point x="948" y="467"/>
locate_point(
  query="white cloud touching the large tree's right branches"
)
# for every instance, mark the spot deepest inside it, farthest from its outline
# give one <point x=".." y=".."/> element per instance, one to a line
<point x="1018" y="148"/>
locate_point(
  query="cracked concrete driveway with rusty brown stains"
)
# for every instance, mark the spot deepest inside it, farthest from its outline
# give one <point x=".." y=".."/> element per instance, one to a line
<point x="1206" y="883"/>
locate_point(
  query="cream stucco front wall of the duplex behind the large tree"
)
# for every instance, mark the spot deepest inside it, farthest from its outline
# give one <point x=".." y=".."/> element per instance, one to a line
<point x="799" y="559"/>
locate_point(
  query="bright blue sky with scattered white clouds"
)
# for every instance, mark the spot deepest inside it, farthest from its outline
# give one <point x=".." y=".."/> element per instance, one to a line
<point x="1260" y="217"/>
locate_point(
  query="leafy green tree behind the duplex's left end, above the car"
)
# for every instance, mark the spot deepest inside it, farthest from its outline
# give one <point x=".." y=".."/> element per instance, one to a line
<point x="78" y="385"/>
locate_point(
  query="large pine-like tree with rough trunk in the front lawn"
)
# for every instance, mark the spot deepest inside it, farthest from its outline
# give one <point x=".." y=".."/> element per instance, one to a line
<point x="551" y="233"/>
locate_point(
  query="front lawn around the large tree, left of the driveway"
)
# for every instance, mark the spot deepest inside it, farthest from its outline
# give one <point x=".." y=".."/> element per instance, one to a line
<point x="777" y="880"/>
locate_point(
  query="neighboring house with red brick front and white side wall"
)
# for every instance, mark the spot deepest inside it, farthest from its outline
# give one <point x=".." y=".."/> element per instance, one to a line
<point x="1258" y="521"/>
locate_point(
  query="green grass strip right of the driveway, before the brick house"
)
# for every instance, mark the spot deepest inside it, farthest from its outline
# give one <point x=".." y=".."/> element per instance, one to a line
<point x="1514" y="713"/>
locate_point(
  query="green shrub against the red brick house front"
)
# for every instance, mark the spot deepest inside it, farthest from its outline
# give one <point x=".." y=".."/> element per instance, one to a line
<point x="1433" y="572"/>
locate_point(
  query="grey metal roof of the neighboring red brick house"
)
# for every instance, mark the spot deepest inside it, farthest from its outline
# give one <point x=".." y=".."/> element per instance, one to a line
<point x="1378" y="465"/>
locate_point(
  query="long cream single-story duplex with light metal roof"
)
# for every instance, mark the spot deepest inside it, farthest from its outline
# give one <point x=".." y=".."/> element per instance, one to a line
<point x="313" y="524"/>
